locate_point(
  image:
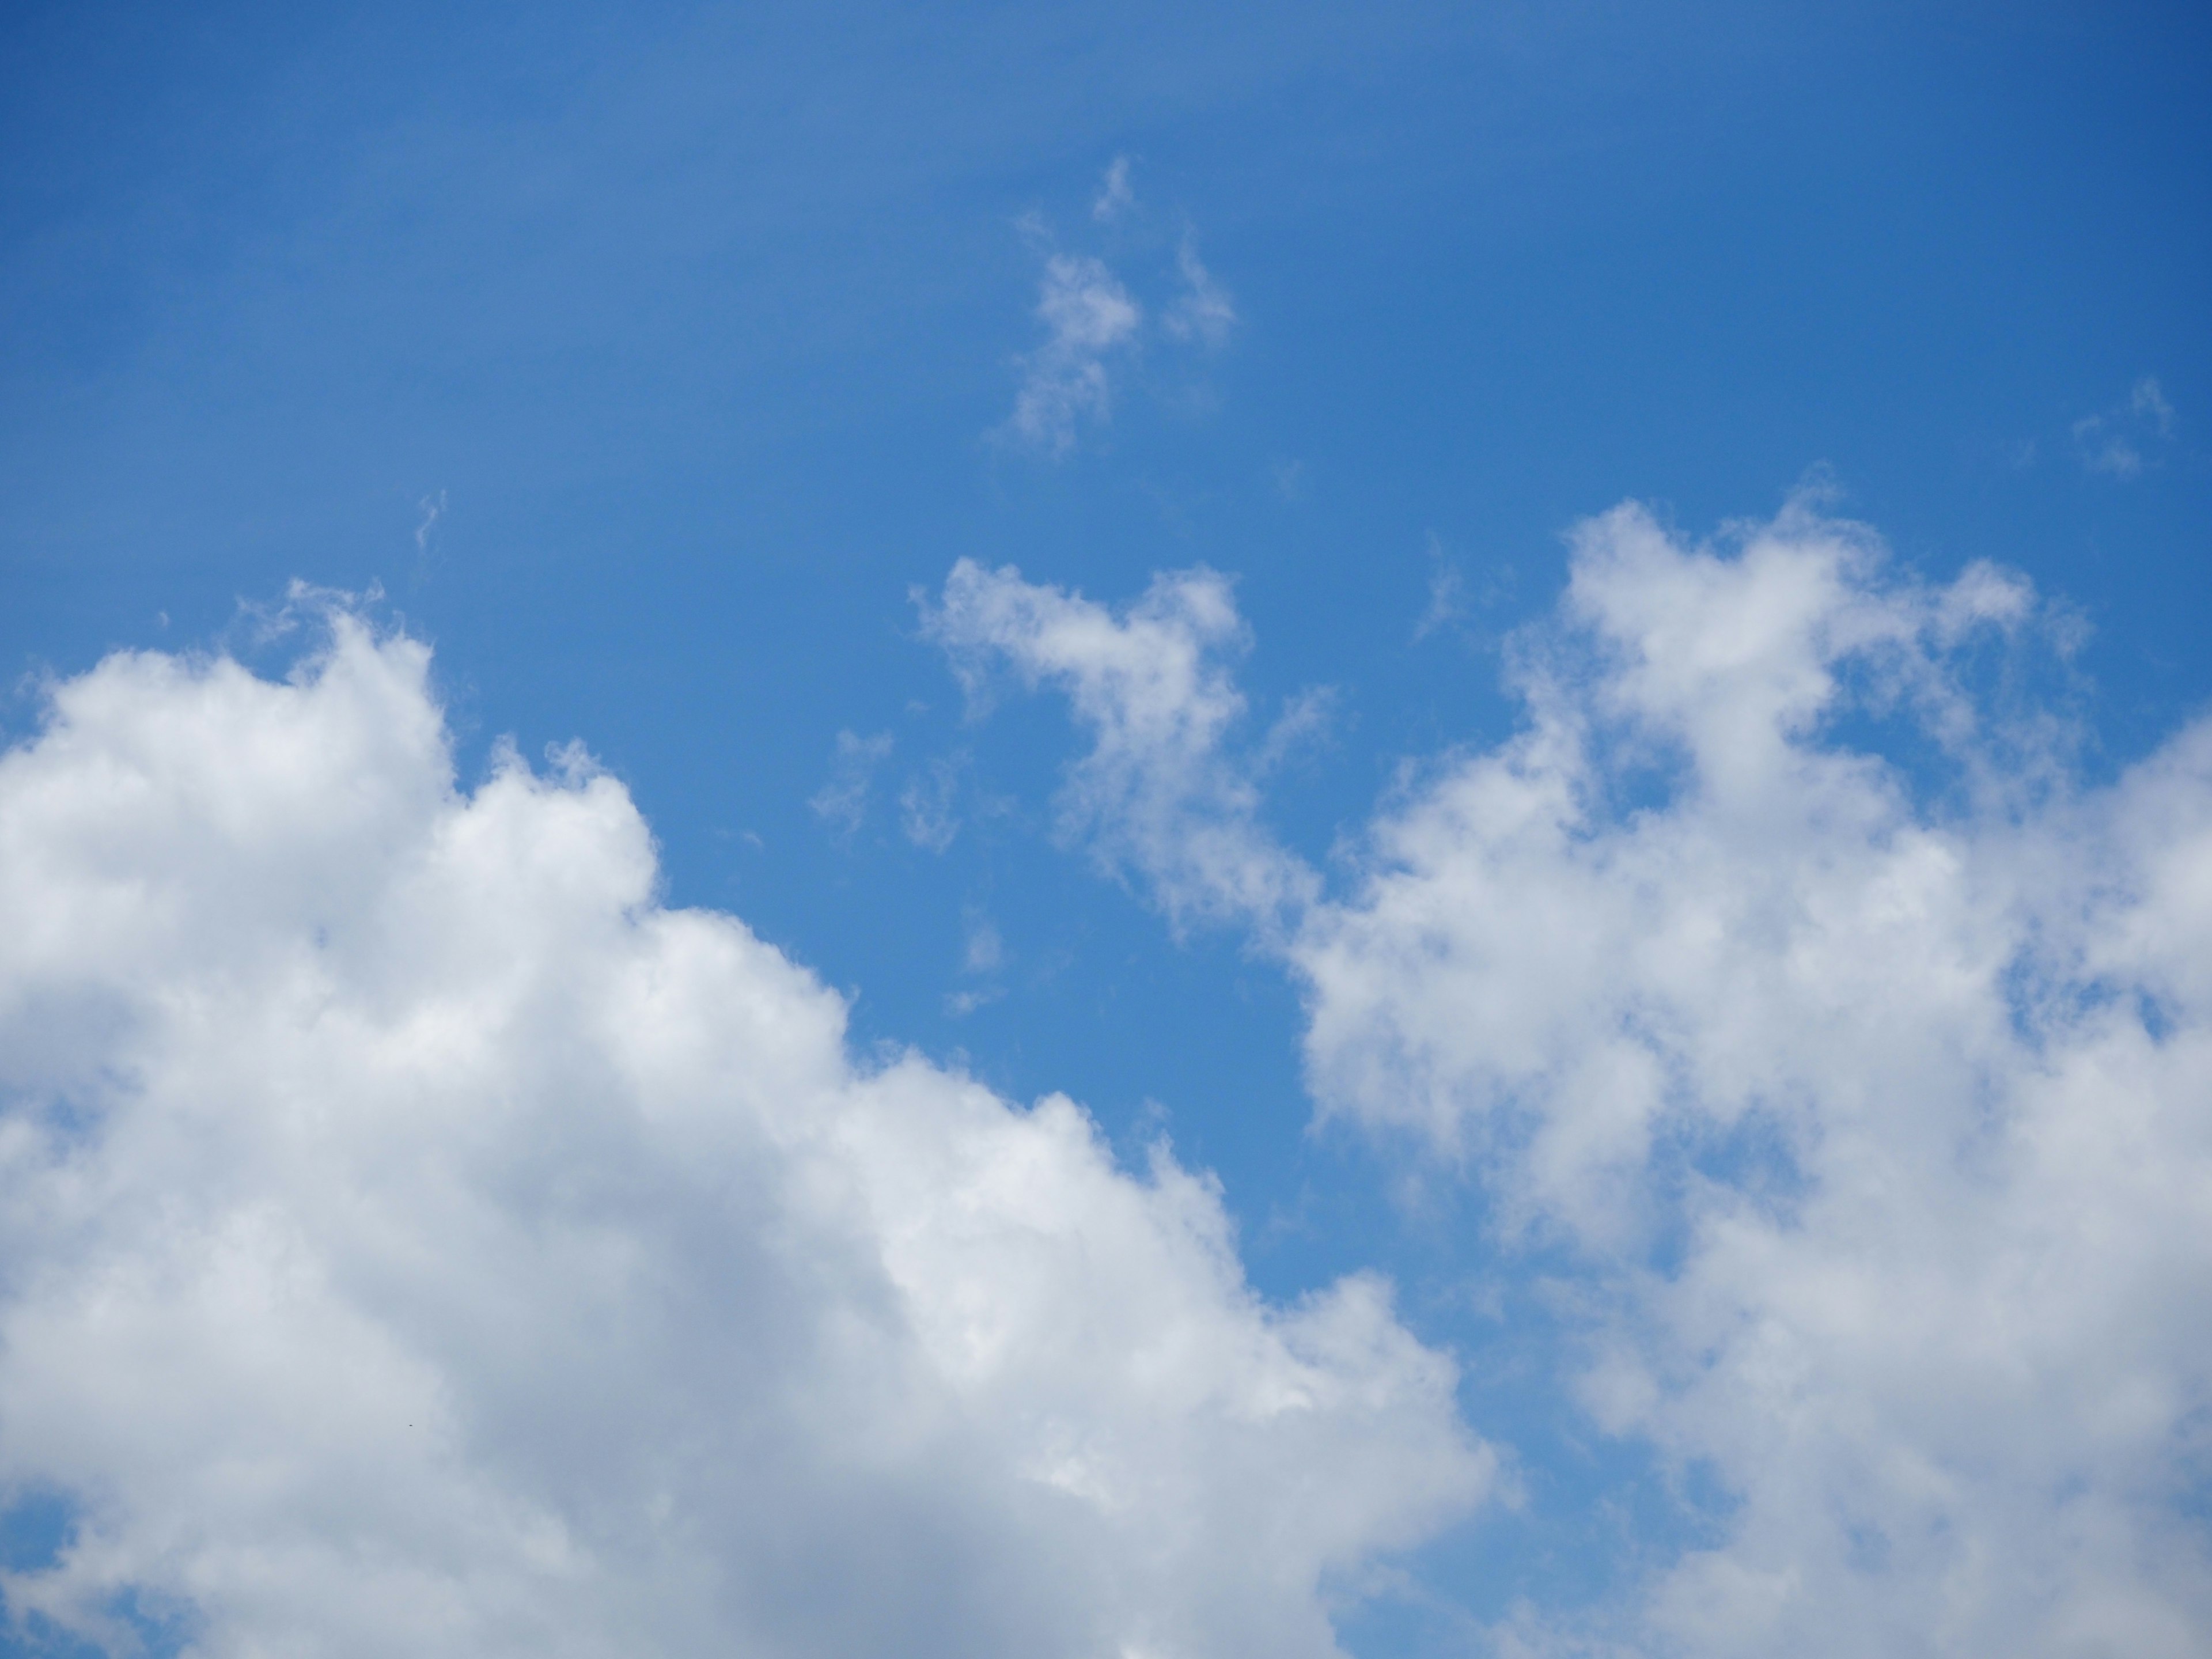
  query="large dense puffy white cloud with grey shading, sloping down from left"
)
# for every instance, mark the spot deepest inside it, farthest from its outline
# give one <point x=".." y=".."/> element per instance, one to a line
<point x="419" y="1240"/>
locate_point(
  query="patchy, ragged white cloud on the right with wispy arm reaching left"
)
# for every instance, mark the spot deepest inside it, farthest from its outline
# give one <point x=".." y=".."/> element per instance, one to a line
<point x="1868" y="1089"/>
